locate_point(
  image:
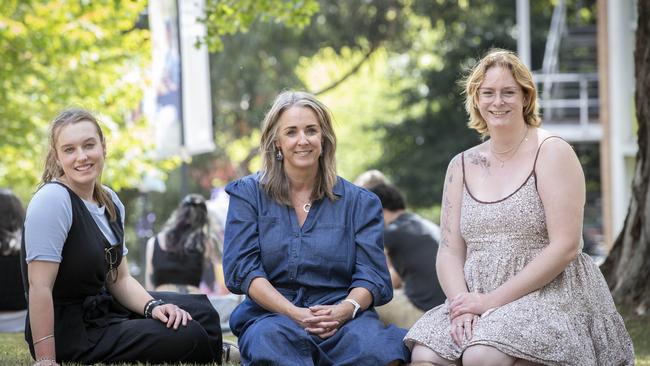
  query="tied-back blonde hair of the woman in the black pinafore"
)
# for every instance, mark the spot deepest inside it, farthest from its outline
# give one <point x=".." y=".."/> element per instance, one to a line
<point x="53" y="170"/>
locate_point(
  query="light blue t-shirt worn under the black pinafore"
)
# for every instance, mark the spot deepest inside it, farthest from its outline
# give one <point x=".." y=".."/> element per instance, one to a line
<point x="49" y="218"/>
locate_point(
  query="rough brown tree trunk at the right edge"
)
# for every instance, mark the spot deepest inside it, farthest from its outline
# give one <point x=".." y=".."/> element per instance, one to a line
<point x="626" y="269"/>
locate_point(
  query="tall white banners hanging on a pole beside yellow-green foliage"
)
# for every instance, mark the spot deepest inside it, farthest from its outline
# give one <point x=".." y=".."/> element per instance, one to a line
<point x="178" y="102"/>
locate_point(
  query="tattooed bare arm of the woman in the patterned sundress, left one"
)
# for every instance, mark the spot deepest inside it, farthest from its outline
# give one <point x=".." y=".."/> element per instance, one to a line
<point x="450" y="260"/>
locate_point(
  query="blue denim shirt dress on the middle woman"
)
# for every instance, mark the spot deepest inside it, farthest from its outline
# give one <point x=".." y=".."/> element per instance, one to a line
<point x="339" y="247"/>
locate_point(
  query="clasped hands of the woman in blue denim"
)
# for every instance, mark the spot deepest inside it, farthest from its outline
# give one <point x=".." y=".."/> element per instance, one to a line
<point x="322" y="320"/>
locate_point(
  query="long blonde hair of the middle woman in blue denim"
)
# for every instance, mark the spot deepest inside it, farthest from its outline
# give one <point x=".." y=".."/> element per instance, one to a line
<point x="274" y="180"/>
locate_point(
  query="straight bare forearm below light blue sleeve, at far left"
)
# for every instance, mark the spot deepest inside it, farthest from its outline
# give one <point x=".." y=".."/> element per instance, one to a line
<point x="41" y="307"/>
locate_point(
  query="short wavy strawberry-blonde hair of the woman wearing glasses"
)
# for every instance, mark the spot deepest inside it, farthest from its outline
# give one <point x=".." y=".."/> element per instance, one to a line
<point x="508" y="60"/>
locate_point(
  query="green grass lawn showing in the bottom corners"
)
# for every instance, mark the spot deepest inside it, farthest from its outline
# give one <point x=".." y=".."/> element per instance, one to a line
<point x="13" y="350"/>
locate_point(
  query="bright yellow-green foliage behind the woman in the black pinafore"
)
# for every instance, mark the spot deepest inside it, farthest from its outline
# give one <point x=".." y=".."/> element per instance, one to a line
<point x="65" y="53"/>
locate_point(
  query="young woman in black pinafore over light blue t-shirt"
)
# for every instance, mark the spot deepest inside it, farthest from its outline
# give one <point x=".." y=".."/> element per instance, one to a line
<point x="84" y="306"/>
